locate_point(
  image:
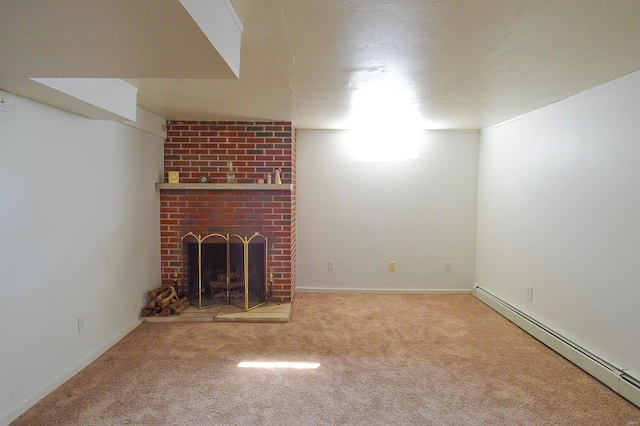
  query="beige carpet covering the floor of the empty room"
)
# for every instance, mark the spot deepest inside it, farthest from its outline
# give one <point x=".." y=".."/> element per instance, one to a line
<point x="385" y="359"/>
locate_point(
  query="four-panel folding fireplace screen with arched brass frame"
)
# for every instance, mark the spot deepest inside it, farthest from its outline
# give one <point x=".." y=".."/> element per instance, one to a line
<point x="225" y="269"/>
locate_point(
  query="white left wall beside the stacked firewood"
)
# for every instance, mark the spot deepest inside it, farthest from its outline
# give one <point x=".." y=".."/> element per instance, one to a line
<point x="79" y="236"/>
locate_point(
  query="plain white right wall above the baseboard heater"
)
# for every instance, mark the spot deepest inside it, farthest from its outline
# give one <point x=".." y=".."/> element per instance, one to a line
<point x="559" y="210"/>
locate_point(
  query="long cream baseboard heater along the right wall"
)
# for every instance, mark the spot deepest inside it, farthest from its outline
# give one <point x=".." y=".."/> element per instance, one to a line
<point x="612" y="376"/>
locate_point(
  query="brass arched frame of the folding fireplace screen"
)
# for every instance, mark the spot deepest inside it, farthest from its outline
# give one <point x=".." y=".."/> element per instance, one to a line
<point x="230" y="288"/>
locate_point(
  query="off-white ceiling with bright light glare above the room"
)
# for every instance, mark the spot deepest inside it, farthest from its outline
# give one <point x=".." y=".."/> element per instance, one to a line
<point x="450" y="64"/>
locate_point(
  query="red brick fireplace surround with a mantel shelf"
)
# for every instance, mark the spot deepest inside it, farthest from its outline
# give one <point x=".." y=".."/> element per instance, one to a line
<point x="198" y="148"/>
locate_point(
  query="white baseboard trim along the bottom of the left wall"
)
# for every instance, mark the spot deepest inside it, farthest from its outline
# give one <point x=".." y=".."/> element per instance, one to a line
<point x="14" y="414"/>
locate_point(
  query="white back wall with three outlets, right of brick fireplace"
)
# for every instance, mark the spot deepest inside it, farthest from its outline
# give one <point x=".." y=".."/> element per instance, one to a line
<point x="419" y="213"/>
